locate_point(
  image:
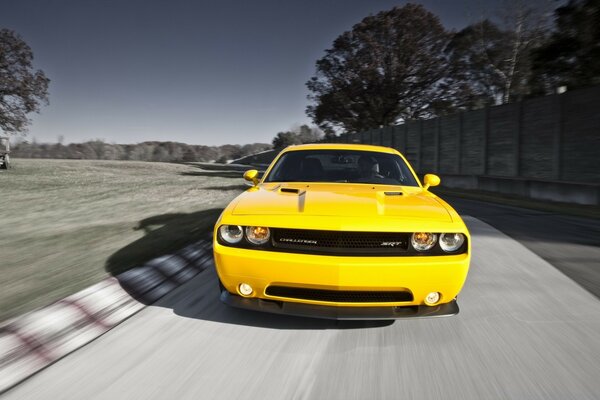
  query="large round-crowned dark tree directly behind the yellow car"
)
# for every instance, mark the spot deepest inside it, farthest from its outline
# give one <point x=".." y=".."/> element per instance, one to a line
<point x="390" y="67"/>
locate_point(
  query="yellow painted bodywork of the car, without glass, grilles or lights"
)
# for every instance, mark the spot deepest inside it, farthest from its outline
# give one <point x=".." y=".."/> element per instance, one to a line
<point x="343" y="207"/>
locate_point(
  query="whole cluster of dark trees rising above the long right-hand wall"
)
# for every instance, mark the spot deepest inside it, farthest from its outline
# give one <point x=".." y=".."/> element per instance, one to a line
<point x="403" y="64"/>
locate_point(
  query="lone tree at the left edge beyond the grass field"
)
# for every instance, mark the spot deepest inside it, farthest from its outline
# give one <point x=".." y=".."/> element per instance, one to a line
<point x="22" y="89"/>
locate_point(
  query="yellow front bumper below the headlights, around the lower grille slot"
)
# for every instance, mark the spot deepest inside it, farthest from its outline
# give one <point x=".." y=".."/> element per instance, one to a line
<point x="417" y="275"/>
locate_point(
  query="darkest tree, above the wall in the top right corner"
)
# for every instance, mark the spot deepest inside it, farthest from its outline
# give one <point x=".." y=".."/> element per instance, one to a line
<point x="571" y="57"/>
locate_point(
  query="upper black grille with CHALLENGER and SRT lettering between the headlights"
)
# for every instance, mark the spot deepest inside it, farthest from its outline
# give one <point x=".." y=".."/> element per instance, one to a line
<point x="335" y="242"/>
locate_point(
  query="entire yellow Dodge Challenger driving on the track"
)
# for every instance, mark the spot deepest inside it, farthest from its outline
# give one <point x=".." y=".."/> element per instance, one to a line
<point x="341" y="231"/>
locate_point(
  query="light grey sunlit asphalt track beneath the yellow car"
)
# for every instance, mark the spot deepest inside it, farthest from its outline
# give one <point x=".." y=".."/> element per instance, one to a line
<point x="525" y="331"/>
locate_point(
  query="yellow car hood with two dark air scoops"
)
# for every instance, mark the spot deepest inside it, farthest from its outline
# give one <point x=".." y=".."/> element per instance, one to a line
<point x="356" y="200"/>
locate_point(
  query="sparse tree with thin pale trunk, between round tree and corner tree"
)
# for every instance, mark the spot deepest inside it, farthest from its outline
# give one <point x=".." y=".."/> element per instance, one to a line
<point x="491" y="62"/>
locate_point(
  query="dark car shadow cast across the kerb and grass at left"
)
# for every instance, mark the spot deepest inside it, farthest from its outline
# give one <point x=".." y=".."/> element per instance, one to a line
<point x="143" y="269"/>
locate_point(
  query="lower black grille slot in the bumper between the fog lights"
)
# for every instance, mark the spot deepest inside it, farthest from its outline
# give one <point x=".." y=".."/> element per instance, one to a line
<point x="340" y="296"/>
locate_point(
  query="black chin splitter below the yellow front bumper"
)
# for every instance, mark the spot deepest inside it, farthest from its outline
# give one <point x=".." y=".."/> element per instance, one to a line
<point x="341" y="313"/>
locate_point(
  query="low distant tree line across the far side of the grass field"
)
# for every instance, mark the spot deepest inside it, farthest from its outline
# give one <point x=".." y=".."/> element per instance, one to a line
<point x="146" y="151"/>
